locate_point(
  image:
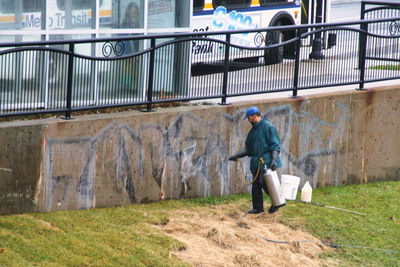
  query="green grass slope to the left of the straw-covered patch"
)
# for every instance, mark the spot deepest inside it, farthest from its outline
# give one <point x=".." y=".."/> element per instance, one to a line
<point x="120" y="236"/>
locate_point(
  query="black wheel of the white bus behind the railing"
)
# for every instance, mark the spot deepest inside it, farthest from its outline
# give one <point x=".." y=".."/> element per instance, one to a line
<point x="273" y="55"/>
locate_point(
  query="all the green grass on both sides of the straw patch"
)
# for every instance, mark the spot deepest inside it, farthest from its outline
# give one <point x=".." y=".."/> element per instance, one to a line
<point x="123" y="236"/>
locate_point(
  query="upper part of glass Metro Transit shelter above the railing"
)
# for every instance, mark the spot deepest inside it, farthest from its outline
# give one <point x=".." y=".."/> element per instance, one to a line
<point x="37" y="20"/>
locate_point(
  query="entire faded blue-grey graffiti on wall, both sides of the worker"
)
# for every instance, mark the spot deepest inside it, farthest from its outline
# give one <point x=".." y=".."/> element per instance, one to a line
<point x="122" y="164"/>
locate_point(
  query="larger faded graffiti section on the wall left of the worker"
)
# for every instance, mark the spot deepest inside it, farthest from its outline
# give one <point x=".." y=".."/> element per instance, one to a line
<point x="110" y="168"/>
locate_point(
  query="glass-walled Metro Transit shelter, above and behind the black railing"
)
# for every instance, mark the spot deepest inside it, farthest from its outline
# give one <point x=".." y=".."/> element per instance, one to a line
<point x="35" y="20"/>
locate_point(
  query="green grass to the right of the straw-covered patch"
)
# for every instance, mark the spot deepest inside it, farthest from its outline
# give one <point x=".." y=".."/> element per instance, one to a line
<point x="359" y="235"/>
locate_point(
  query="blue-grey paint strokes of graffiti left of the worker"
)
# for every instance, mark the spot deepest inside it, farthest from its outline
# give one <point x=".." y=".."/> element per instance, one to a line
<point x="172" y="143"/>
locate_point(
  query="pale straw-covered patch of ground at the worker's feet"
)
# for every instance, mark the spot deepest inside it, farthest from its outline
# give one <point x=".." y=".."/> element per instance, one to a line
<point x="213" y="238"/>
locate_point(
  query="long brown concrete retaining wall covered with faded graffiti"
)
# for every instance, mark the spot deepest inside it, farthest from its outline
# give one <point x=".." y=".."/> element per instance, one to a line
<point x="134" y="157"/>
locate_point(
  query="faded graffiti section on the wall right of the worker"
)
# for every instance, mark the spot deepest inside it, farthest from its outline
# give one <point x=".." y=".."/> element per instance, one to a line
<point x="319" y="140"/>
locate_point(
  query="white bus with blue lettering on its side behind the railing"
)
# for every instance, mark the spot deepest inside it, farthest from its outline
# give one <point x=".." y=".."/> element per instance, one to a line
<point x="226" y="15"/>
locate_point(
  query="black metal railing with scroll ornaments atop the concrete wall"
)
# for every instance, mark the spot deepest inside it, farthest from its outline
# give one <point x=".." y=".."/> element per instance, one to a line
<point x="68" y="76"/>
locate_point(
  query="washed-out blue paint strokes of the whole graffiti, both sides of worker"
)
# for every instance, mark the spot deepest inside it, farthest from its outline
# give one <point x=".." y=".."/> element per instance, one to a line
<point x="191" y="145"/>
